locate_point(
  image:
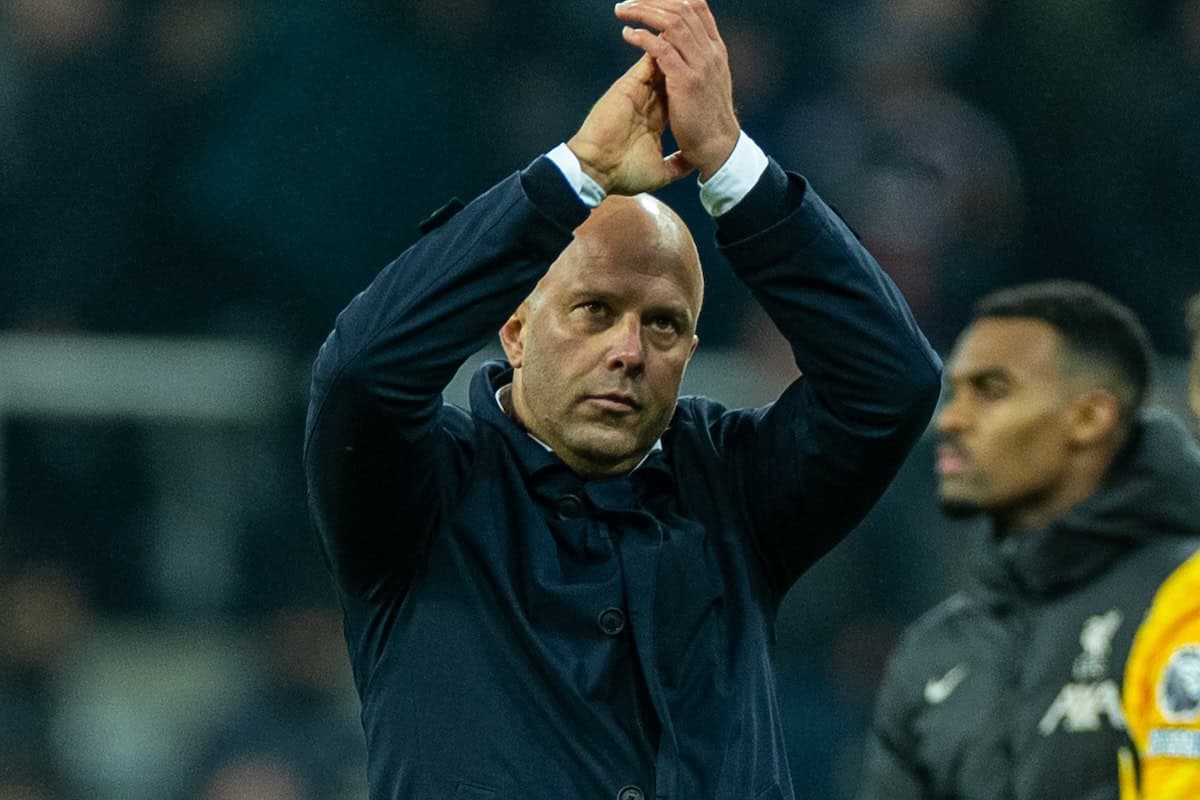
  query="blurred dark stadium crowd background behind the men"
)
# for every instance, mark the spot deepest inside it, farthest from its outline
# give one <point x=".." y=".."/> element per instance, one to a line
<point x="190" y="190"/>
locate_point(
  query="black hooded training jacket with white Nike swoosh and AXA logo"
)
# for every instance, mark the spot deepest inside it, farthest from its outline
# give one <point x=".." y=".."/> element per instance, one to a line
<point x="1011" y="690"/>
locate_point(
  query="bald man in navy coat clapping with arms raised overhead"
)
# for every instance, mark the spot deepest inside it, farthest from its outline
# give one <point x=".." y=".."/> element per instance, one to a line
<point x="569" y="591"/>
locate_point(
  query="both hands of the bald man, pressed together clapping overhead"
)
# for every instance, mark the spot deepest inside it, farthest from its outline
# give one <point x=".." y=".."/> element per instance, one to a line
<point x="683" y="81"/>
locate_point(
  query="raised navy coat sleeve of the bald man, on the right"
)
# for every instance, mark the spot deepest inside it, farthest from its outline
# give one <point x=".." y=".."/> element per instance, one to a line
<point x="813" y="464"/>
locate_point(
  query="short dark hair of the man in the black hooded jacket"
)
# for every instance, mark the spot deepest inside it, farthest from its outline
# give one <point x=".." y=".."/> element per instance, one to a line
<point x="1096" y="329"/>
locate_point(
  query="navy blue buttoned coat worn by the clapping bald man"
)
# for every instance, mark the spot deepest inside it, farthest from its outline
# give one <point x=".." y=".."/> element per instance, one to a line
<point x="519" y="633"/>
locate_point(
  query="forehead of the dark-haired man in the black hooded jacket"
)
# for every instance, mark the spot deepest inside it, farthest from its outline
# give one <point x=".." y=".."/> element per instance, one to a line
<point x="1015" y="346"/>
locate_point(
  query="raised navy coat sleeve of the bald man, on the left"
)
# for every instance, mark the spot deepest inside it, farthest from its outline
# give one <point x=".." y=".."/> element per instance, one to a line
<point x="383" y="458"/>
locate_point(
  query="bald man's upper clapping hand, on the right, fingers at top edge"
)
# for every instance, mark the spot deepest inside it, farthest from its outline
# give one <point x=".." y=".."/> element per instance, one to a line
<point x="695" y="67"/>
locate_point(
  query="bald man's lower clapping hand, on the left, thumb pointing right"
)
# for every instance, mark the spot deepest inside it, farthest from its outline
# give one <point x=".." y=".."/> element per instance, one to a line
<point x="621" y="142"/>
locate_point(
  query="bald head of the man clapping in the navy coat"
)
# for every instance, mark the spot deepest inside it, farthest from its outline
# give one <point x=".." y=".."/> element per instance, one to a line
<point x="601" y="346"/>
